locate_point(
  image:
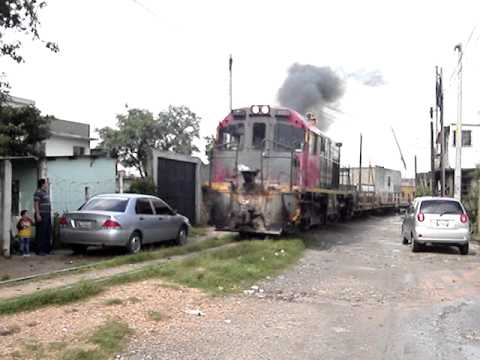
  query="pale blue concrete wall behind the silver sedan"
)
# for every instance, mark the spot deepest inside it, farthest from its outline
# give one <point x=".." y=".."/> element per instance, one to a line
<point x="69" y="178"/>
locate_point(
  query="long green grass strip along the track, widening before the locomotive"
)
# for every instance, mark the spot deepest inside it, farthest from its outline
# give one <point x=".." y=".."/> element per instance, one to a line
<point x="222" y="271"/>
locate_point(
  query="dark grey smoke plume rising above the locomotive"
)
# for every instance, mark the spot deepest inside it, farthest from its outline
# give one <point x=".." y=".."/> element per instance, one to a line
<point x="311" y="88"/>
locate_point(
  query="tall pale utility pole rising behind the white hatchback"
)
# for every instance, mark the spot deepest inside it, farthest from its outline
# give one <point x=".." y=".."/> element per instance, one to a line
<point x="458" y="131"/>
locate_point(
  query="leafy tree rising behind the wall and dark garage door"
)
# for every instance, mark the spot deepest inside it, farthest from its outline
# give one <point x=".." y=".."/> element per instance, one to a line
<point x="138" y="131"/>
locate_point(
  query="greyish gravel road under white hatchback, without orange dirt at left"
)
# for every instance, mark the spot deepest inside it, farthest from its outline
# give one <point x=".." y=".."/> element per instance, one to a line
<point x="357" y="294"/>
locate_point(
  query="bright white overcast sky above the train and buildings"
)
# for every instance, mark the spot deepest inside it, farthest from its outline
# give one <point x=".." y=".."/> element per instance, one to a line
<point x="150" y="54"/>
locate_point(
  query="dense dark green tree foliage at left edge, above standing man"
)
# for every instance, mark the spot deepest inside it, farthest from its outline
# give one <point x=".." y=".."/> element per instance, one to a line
<point x="22" y="130"/>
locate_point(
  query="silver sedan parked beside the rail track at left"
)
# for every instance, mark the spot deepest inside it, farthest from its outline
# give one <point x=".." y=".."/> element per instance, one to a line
<point x="122" y="220"/>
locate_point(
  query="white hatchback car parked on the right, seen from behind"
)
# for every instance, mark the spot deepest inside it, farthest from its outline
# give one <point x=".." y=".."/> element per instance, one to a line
<point x="436" y="221"/>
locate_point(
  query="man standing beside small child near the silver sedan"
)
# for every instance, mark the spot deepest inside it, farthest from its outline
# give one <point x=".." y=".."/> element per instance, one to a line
<point x="43" y="231"/>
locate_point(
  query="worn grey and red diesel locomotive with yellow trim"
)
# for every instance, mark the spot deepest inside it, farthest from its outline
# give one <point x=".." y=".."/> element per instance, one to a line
<point x="272" y="170"/>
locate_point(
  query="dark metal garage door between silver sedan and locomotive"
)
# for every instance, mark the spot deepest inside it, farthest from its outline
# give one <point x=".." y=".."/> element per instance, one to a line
<point x="176" y="185"/>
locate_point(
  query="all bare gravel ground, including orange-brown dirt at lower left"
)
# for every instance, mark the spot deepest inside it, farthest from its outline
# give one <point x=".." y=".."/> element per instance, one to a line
<point x="358" y="293"/>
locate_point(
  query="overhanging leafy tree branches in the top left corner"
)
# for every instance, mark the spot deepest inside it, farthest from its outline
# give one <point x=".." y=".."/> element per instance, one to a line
<point x="19" y="17"/>
